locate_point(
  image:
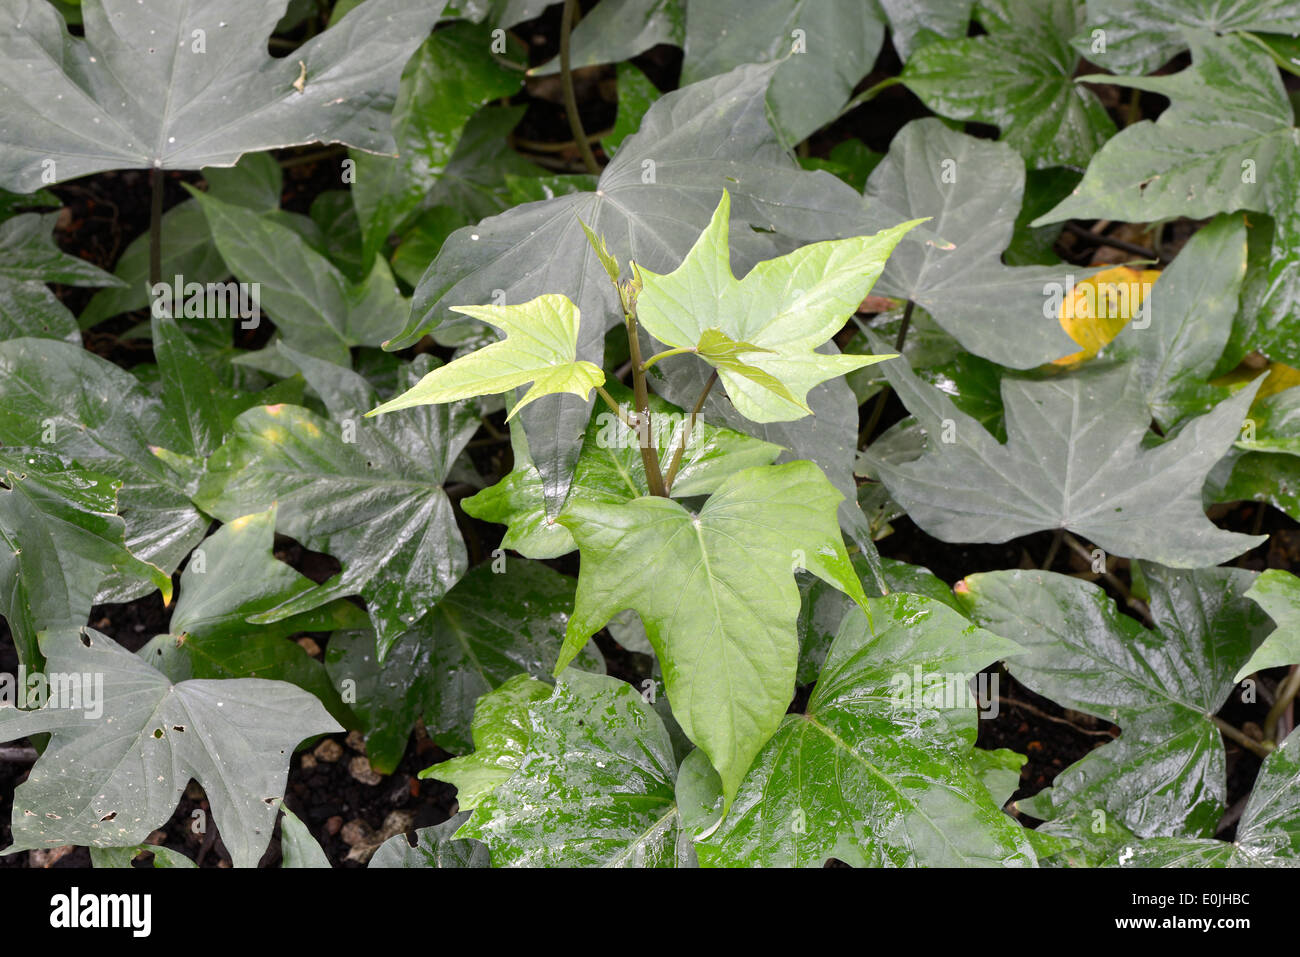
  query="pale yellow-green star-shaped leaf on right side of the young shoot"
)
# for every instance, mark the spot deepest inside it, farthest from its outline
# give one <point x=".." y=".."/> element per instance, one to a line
<point x="787" y="308"/>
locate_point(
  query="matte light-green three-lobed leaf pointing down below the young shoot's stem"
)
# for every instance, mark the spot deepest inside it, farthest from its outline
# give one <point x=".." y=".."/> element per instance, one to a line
<point x="722" y="605"/>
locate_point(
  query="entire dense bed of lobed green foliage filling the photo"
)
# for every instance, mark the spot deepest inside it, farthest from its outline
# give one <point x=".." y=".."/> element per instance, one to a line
<point x="575" y="423"/>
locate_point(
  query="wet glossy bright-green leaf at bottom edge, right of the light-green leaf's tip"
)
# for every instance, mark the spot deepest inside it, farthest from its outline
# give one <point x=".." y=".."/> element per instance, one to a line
<point x="879" y="770"/>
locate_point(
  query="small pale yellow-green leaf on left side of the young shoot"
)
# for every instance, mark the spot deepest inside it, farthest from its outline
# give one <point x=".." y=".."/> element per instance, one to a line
<point x="540" y="348"/>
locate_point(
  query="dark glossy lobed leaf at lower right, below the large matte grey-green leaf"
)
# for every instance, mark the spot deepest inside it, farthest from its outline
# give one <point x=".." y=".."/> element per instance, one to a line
<point x="1167" y="773"/>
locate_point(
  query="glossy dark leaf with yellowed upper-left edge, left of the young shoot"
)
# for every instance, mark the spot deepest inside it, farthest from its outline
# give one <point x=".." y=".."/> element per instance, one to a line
<point x="366" y="491"/>
